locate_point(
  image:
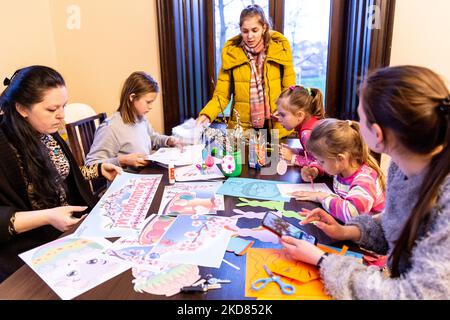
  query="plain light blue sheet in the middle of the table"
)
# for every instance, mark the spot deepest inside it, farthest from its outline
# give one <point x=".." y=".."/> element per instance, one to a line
<point x="253" y="189"/>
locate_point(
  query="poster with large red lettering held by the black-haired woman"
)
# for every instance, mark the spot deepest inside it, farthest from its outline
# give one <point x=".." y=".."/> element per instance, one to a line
<point x="122" y="209"/>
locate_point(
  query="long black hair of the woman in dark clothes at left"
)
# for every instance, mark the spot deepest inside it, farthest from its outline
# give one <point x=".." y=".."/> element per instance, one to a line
<point x="27" y="87"/>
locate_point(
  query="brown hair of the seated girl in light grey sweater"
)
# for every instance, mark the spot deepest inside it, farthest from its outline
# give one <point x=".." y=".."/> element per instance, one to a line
<point x="138" y="83"/>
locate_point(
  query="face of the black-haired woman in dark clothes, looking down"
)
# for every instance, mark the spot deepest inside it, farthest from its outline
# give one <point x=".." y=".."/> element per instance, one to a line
<point x="47" y="116"/>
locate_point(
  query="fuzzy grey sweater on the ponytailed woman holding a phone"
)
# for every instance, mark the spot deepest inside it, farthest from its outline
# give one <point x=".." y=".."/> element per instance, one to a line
<point x="425" y="276"/>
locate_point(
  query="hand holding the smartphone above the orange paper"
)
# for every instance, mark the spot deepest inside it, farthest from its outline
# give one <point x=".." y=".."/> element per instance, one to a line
<point x="301" y="250"/>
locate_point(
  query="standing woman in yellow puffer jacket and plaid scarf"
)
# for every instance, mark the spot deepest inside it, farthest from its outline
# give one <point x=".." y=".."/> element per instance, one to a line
<point x="256" y="67"/>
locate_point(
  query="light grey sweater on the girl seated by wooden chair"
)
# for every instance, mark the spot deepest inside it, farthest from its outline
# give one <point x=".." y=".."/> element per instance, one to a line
<point x="113" y="138"/>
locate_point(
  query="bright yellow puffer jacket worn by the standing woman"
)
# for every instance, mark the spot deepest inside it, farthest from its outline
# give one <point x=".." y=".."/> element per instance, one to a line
<point x="234" y="77"/>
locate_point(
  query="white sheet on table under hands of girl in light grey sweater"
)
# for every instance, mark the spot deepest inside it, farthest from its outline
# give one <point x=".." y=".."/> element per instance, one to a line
<point x="178" y="157"/>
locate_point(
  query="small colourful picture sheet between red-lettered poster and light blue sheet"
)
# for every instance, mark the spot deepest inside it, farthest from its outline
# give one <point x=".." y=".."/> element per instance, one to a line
<point x="192" y="198"/>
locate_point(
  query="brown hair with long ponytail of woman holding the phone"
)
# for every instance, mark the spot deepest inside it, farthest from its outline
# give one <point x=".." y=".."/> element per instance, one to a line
<point x="412" y="102"/>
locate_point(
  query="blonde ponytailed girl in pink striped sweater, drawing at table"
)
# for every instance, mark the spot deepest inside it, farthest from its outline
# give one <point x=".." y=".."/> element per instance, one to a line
<point x="358" y="182"/>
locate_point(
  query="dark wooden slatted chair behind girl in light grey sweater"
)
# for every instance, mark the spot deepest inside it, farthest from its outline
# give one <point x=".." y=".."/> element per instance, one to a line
<point x="81" y="136"/>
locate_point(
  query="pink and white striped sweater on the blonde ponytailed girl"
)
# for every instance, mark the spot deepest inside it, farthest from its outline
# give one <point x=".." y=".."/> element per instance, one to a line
<point x="357" y="194"/>
